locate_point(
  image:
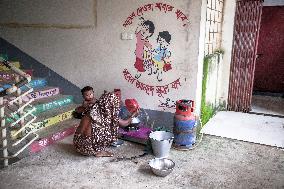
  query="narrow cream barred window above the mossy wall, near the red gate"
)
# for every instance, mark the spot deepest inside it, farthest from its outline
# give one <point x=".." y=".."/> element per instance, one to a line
<point x="213" y="33"/>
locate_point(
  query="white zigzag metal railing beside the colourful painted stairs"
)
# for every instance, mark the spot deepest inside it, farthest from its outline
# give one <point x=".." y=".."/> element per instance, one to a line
<point x="17" y="114"/>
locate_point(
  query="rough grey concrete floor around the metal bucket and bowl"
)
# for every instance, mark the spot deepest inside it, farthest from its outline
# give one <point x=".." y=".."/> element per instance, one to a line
<point x="214" y="163"/>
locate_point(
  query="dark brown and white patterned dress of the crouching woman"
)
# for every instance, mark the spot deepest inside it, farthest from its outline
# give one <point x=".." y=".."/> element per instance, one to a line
<point x="104" y="126"/>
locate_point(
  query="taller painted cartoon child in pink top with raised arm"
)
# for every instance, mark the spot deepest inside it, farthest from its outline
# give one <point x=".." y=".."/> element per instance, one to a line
<point x="144" y="30"/>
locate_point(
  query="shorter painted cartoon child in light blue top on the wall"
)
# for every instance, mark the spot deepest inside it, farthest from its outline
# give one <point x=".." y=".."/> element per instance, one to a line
<point x="161" y="55"/>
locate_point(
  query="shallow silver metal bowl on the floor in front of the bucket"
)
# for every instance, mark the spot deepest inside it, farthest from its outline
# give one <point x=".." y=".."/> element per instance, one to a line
<point x="161" y="166"/>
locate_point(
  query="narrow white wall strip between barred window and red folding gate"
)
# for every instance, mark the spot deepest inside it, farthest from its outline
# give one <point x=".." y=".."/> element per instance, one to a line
<point x="219" y="67"/>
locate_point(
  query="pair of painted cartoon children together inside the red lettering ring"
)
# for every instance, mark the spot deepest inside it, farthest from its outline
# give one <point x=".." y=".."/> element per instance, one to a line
<point x="156" y="60"/>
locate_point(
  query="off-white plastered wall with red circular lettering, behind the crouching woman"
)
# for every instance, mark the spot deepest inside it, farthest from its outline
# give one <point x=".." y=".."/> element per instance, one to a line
<point x="98" y="56"/>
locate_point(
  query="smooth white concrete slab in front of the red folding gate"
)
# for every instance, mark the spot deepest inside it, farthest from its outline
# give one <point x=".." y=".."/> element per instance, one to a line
<point x="260" y="129"/>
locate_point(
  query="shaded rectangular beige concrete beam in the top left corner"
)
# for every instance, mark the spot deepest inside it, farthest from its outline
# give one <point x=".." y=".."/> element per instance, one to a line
<point x="62" y="12"/>
